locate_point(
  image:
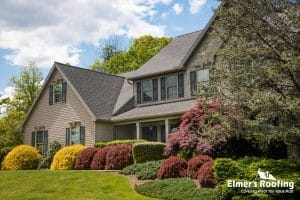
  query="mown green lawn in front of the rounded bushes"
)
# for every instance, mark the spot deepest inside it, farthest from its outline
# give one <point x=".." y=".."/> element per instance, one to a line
<point x="59" y="185"/>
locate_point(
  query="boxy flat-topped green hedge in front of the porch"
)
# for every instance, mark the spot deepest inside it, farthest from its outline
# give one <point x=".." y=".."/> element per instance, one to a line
<point x="147" y="151"/>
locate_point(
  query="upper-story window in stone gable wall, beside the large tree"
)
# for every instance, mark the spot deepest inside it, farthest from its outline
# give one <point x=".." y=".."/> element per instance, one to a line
<point x="198" y="78"/>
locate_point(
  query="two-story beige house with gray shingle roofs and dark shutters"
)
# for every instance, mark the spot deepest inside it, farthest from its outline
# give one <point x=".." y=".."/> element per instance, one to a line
<point x="80" y="106"/>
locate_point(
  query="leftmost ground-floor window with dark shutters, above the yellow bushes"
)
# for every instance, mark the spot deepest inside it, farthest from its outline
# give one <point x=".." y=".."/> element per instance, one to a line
<point x="39" y="139"/>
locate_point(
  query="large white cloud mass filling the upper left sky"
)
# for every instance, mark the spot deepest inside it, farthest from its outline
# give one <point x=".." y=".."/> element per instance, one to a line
<point x="48" y="31"/>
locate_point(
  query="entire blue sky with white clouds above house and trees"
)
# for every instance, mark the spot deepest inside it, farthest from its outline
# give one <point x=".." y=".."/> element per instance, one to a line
<point x="70" y="30"/>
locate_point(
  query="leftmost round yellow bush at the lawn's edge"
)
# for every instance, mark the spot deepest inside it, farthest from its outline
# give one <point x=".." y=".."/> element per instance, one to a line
<point x="22" y="157"/>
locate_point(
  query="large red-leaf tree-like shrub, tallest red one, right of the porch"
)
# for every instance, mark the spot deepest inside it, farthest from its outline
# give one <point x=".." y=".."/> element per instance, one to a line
<point x="202" y="127"/>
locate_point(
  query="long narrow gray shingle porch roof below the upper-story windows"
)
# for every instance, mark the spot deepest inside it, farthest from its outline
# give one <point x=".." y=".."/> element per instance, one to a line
<point x="153" y="111"/>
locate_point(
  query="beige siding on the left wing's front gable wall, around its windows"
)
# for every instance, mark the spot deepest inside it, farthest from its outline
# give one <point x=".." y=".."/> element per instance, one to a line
<point x="56" y="118"/>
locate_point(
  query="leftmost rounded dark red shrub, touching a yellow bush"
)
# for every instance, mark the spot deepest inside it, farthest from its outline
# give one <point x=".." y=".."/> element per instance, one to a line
<point x="85" y="158"/>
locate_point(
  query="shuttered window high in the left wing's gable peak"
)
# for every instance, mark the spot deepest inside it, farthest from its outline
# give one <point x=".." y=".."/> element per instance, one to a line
<point x="57" y="92"/>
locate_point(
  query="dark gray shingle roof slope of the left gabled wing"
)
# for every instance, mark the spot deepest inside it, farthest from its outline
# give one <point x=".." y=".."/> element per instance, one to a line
<point x="99" y="91"/>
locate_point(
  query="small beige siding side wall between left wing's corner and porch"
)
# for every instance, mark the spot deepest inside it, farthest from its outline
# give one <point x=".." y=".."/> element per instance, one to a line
<point x="104" y="131"/>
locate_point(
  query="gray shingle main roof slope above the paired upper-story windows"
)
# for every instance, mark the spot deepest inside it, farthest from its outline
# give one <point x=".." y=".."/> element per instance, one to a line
<point x="170" y="58"/>
